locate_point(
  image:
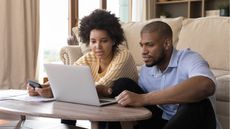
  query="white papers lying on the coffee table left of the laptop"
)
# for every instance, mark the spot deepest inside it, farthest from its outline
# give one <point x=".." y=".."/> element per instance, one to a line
<point x="21" y="95"/>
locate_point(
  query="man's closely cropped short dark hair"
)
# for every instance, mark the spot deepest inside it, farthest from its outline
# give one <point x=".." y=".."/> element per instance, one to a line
<point x="161" y="28"/>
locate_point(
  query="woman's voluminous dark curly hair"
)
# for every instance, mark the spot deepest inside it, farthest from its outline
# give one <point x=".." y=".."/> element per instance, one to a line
<point x="102" y="20"/>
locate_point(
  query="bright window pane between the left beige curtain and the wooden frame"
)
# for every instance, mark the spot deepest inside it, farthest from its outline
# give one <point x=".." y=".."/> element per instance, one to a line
<point x="53" y="31"/>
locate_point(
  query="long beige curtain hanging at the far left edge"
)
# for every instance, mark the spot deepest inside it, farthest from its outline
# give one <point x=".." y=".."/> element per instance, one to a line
<point x="19" y="41"/>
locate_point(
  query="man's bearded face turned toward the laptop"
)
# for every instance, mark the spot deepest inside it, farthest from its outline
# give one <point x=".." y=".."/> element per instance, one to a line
<point x="153" y="51"/>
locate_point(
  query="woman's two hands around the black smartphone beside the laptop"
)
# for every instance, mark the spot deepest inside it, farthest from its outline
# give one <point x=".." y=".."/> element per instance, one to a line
<point x="45" y="91"/>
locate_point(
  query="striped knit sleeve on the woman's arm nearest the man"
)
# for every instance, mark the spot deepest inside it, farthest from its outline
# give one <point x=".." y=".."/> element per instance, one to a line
<point x="122" y="65"/>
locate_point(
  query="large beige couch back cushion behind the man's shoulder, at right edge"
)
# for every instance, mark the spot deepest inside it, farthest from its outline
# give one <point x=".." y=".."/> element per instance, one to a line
<point x="210" y="37"/>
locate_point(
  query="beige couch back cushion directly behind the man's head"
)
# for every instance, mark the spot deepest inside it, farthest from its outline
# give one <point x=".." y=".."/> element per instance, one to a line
<point x="132" y="34"/>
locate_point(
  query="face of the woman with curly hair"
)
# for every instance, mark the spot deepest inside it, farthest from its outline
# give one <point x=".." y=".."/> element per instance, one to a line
<point x="101" y="44"/>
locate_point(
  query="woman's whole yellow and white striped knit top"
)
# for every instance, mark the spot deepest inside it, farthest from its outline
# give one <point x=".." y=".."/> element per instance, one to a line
<point x="122" y="65"/>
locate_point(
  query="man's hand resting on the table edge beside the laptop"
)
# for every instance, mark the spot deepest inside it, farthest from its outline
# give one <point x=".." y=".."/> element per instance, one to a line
<point x="127" y="98"/>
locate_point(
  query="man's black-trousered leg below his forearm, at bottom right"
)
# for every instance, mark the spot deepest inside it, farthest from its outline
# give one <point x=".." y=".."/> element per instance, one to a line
<point x="193" y="115"/>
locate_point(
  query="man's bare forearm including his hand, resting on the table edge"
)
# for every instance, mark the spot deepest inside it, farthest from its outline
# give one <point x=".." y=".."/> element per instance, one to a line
<point x="191" y="90"/>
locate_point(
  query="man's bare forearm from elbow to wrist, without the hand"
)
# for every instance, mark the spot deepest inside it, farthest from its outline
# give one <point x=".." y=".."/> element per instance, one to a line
<point x="191" y="90"/>
